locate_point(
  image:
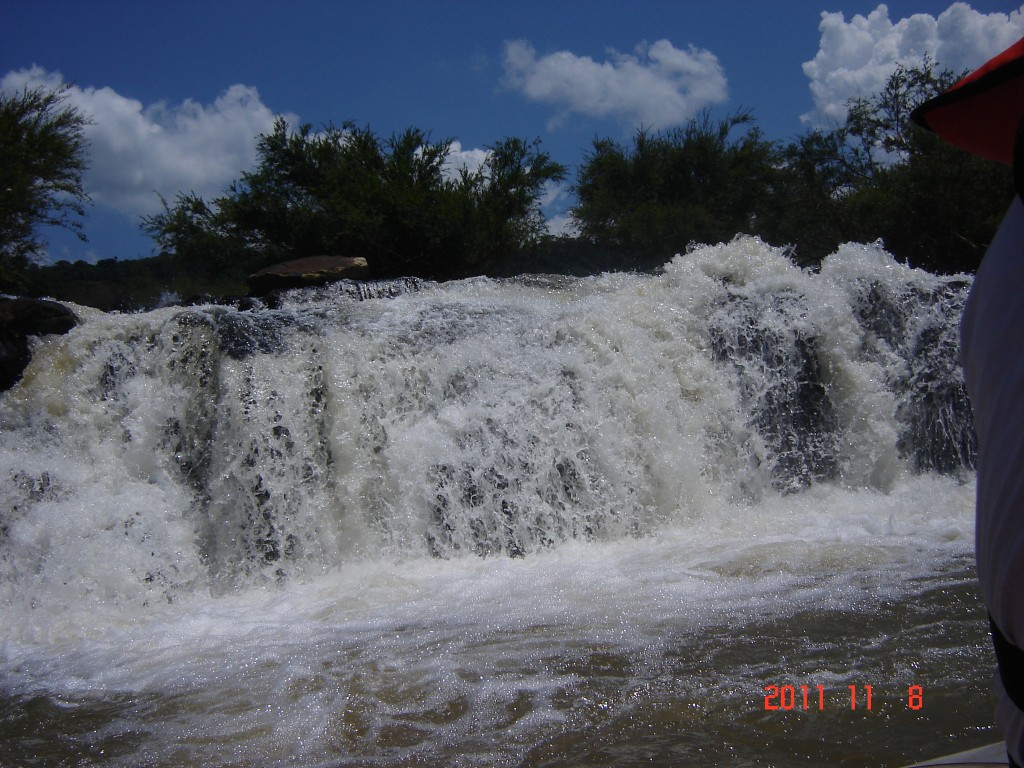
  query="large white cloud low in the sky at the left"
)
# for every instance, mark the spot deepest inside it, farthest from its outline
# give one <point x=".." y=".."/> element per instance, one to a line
<point x="136" y="151"/>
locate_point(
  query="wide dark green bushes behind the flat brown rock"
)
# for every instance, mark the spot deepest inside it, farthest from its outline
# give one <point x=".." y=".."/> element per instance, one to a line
<point x="348" y="192"/>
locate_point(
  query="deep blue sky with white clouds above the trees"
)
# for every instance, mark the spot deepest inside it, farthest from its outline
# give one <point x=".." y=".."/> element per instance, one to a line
<point x="179" y="92"/>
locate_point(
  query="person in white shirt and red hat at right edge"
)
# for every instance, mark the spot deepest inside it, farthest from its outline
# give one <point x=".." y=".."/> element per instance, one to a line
<point x="985" y="114"/>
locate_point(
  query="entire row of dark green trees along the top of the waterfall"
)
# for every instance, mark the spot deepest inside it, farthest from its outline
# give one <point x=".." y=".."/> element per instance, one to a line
<point x="398" y="202"/>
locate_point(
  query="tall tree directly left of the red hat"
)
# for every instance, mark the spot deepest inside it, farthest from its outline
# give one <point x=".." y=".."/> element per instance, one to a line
<point x="880" y="176"/>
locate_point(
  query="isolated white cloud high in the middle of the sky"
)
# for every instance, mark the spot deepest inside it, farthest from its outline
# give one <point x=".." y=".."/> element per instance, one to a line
<point x="657" y="87"/>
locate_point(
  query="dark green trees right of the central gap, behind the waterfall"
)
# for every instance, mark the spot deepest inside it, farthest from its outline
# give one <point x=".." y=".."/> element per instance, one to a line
<point x="876" y="177"/>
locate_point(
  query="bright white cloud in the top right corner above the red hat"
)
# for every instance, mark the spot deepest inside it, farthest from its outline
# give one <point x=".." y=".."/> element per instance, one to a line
<point x="857" y="58"/>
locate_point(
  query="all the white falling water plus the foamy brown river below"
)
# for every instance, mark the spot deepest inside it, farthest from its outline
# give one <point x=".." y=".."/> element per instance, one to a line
<point x="540" y="522"/>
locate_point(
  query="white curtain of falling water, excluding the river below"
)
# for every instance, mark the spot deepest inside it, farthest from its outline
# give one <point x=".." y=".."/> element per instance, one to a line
<point x="210" y="447"/>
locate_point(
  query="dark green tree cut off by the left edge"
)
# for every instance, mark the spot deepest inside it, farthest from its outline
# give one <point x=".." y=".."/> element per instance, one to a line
<point x="42" y="148"/>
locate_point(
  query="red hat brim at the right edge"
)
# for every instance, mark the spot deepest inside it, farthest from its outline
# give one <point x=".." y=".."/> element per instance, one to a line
<point x="983" y="112"/>
